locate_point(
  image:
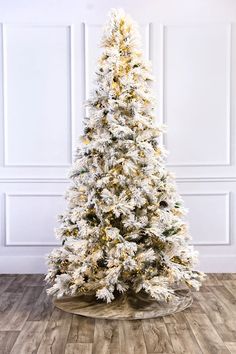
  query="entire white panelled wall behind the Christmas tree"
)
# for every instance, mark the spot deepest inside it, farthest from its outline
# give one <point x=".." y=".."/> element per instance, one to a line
<point x="47" y="55"/>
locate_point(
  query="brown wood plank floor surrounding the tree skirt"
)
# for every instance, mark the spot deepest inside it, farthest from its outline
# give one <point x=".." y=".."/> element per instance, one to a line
<point x="29" y="323"/>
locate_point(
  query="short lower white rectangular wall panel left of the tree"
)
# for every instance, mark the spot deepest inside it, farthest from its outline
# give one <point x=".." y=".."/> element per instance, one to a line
<point x="30" y="219"/>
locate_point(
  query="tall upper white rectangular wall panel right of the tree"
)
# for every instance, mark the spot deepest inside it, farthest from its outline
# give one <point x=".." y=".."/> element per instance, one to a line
<point x="197" y="94"/>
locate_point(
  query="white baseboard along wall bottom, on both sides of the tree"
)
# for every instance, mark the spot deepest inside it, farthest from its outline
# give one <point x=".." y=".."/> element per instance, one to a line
<point x="37" y="264"/>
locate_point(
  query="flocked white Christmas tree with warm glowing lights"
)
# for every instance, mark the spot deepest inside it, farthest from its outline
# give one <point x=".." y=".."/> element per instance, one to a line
<point x="123" y="229"/>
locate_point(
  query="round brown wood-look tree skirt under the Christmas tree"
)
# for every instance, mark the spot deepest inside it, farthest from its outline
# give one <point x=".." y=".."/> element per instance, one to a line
<point x="130" y="306"/>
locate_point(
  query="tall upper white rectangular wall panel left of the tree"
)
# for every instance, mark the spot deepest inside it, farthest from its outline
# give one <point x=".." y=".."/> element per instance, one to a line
<point x="37" y="95"/>
